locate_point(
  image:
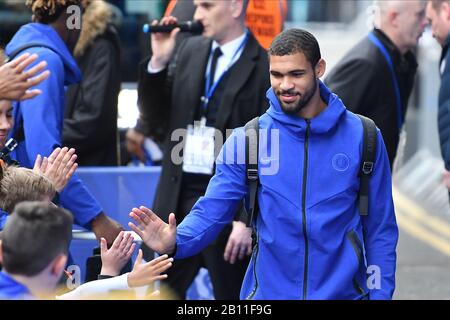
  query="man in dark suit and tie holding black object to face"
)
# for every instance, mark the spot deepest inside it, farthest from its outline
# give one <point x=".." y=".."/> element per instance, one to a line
<point x="220" y="83"/>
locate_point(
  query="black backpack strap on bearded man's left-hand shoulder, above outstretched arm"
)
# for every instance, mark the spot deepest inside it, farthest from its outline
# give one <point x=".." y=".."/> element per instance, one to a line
<point x="251" y="162"/>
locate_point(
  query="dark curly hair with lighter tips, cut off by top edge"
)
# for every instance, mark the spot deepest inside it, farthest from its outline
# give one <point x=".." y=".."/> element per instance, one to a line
<point x="48" y="11"/>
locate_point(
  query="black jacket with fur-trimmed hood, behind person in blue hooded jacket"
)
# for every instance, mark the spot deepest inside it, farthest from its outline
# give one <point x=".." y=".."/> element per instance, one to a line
<point x="90" y="119"/>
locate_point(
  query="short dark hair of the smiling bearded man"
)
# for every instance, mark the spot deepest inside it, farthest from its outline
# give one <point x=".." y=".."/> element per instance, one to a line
<point x="293" y="41"/>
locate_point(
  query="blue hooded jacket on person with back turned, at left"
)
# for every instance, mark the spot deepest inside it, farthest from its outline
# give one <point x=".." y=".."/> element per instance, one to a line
<point x="42" y="117"/>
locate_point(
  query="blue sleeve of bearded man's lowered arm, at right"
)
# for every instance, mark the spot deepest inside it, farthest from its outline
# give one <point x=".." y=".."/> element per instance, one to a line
<point x="380" y="229"/>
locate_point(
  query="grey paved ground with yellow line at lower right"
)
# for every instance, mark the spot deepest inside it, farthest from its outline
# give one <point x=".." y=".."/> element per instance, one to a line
<point x="423" y="268"/>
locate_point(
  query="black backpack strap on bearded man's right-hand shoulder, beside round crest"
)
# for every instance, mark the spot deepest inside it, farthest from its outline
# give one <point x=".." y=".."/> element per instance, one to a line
<point x="367" y="162"/>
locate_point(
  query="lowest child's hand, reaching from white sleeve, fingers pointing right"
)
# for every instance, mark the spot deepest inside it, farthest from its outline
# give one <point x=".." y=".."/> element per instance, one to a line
<point x="144" y="274"/>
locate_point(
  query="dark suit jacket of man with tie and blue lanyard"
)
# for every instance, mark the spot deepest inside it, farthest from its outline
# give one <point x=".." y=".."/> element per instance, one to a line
<point x="167" y="106"/>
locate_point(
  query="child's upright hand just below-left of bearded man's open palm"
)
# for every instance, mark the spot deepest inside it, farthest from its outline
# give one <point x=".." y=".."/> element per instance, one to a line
<point x="114" y="259"/>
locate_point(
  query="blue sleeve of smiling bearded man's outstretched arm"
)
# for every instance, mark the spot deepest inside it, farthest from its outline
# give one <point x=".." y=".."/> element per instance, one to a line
<point x="218" y="207"/>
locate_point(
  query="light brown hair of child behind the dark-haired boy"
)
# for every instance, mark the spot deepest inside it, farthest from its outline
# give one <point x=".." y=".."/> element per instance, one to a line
<point x="22" y="184"/>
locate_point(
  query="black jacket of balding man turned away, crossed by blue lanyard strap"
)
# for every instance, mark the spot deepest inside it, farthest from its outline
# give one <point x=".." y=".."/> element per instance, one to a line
<point x="363" y="81"/>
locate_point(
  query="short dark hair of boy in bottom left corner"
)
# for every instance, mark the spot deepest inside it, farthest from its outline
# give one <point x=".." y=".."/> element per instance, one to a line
<point x="34" y="235"/>
